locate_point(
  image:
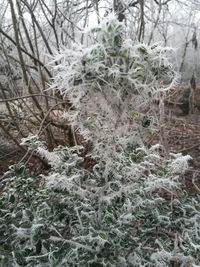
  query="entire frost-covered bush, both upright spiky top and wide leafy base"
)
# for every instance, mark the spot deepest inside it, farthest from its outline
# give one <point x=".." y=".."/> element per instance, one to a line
<point x="130" y="209"/>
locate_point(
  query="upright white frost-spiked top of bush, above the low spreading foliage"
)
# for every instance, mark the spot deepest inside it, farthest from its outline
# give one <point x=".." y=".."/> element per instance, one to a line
<point x="111" y="86"/>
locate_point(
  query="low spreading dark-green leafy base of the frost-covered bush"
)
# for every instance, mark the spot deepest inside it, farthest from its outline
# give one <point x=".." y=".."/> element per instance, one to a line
<point x="133" y="213"/>
